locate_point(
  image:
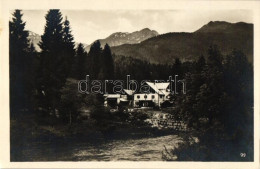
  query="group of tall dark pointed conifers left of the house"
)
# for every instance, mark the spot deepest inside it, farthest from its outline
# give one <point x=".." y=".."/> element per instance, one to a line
<point x="37" y="78"/>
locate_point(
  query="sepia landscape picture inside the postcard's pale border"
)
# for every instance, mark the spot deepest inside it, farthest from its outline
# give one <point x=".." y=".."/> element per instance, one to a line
<point x="131" y="85"/>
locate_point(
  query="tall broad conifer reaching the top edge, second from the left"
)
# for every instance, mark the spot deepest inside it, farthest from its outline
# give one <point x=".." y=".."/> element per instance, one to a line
<point x="53" y="62"/>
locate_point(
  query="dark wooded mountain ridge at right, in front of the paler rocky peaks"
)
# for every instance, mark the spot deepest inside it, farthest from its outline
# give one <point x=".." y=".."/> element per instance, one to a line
<point x="164" y="48"/>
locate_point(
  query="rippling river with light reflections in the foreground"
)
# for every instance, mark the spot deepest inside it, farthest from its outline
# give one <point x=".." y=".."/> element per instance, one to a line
<point x="144" y="149"/>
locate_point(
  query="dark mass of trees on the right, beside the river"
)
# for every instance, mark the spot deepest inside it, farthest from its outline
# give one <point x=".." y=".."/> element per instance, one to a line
<point x="219" y="107"/>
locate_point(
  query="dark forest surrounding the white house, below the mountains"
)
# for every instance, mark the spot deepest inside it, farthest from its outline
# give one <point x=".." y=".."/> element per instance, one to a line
<point x="218" y="105"/>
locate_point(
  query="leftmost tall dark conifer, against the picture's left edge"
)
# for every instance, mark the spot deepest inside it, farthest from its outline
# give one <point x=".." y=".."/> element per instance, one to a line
<point x="19" y="63"/>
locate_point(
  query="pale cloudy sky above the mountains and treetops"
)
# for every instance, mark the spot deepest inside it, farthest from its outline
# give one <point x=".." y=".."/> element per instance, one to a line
<point x="90" y="25"/>
